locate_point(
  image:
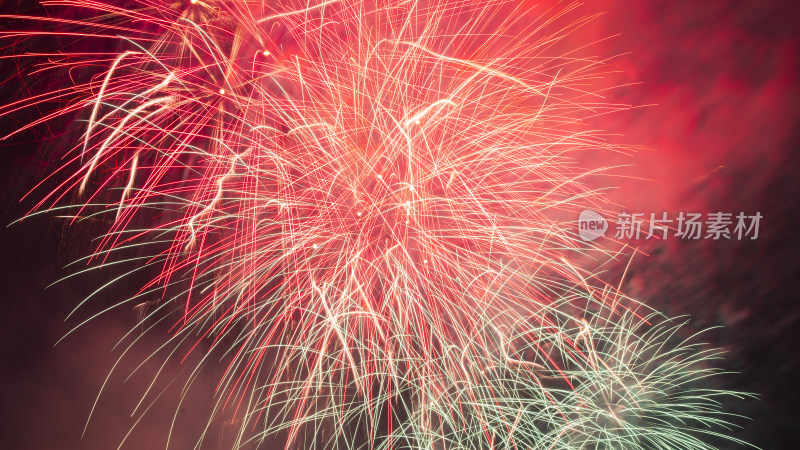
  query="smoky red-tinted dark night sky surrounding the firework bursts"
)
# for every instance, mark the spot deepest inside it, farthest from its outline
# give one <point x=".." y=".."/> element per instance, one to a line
<point x="722" y="81"/>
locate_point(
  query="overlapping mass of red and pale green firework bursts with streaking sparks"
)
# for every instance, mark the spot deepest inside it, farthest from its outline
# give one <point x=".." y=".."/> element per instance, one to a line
<point x="360" y="210"/>
